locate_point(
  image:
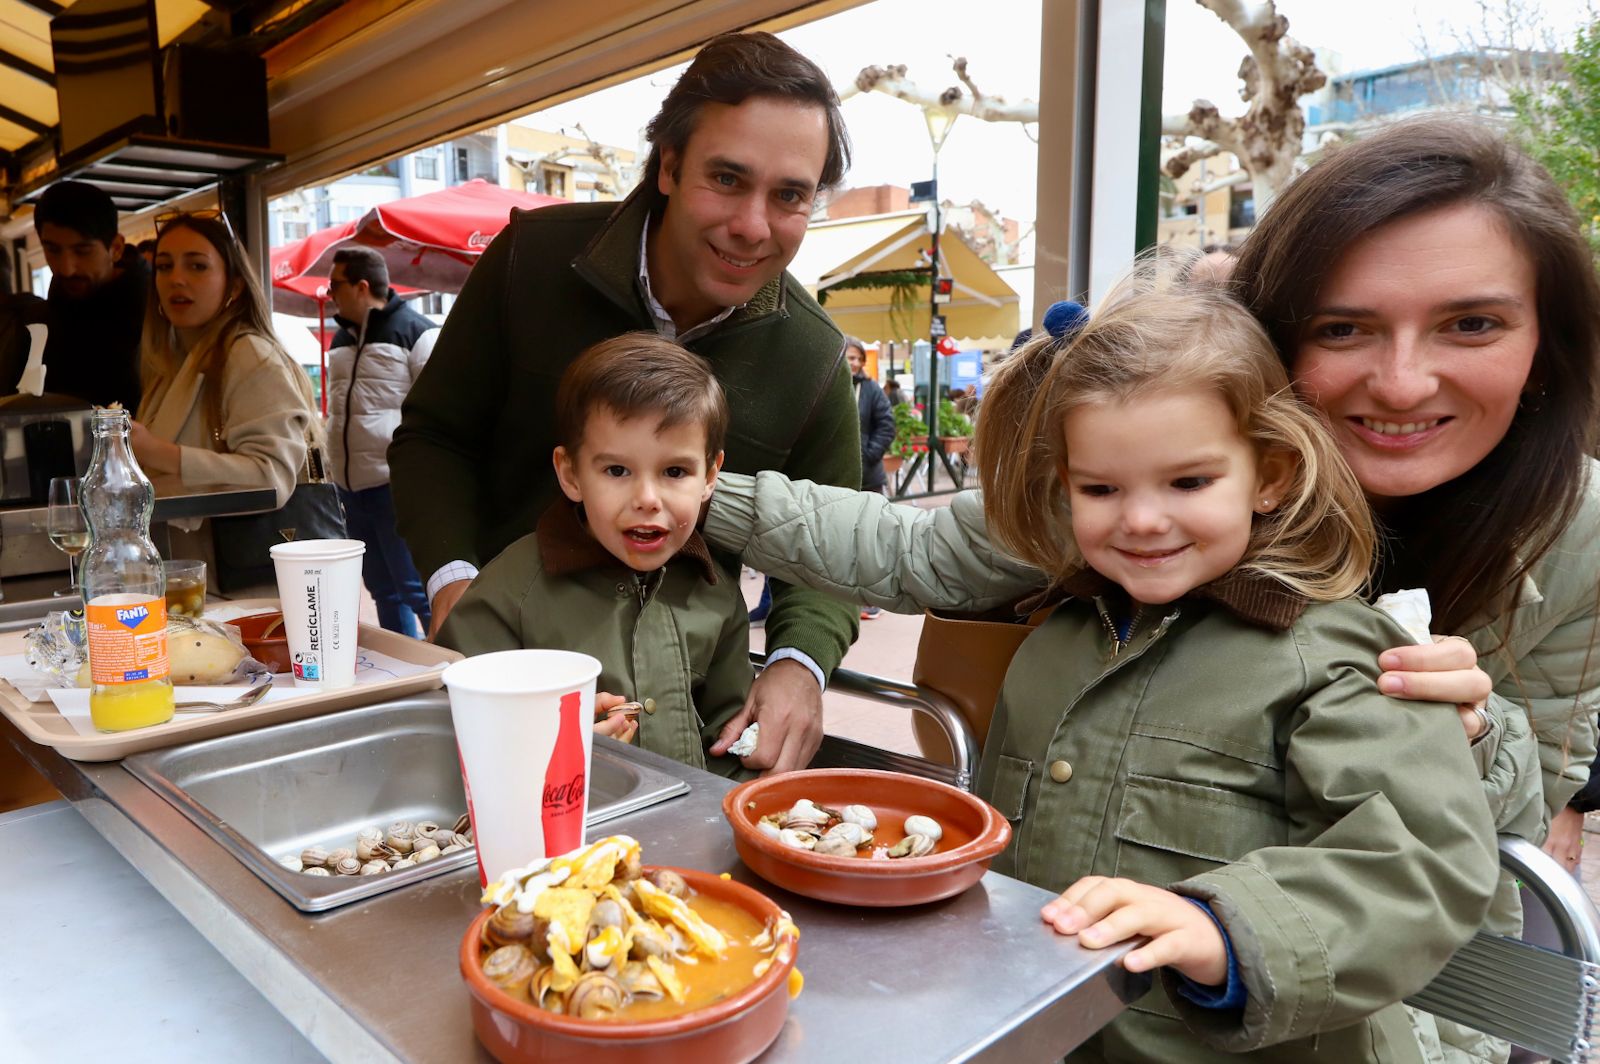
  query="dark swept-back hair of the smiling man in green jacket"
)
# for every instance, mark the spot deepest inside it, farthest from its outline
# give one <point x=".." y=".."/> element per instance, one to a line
<point x="732" y="70"/>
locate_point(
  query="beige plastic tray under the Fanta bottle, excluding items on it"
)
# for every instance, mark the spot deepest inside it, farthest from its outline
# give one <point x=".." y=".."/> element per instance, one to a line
<point x="42" y="724"/>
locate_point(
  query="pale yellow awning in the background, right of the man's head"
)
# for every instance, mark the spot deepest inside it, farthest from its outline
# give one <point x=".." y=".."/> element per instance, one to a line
<point x="982" y="305"/>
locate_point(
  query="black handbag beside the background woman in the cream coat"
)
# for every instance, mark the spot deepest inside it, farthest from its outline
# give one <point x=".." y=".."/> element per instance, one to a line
<point x="241" y="546"/>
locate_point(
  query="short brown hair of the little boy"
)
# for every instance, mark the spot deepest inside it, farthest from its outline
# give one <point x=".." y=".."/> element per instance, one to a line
<point x="636" y="375"/>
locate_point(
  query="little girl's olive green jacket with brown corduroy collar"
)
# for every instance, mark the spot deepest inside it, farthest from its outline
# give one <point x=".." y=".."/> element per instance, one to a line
<point x="1238" y="751"/>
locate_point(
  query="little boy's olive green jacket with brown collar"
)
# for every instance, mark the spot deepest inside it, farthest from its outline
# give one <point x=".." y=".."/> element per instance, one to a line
<point x="679" y="636"/>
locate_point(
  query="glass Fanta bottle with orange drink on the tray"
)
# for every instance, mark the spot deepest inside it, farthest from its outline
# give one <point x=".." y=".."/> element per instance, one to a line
<point x="124" y="588"/>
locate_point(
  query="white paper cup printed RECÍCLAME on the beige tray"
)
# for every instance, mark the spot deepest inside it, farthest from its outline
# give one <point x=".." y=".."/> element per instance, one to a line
<point x="321" y="594"/>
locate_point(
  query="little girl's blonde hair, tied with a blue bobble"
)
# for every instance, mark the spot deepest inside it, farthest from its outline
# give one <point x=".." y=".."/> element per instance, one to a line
<point x="1158" y="334"/>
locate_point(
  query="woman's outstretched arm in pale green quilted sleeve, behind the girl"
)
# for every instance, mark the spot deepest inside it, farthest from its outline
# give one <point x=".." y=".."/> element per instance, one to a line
<point x="865" y="548"/>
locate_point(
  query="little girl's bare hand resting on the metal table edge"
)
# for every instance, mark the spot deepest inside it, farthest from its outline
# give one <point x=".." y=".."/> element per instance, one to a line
<point x="1105" y="911"/>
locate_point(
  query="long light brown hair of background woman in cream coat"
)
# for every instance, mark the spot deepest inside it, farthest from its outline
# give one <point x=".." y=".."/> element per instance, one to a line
<point x="244" y="314"/>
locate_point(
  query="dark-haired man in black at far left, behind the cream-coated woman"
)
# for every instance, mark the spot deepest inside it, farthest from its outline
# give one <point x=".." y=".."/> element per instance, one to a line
<point x="95" y="310"/>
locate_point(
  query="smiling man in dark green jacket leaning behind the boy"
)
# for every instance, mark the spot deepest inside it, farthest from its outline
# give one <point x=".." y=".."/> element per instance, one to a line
<point x="742" y="146"/>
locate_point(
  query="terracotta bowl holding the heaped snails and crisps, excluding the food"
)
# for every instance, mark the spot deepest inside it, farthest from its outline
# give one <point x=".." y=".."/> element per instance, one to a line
<point x="735" y="1030"/>
